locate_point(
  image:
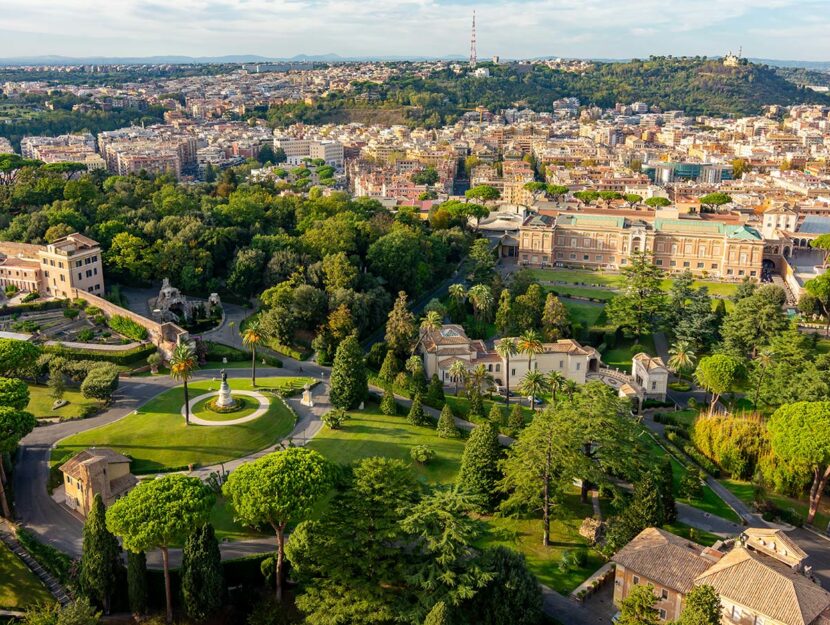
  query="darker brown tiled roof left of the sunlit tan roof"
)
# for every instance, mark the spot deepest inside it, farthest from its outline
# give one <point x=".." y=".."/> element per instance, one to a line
<point x="664" y="558"/>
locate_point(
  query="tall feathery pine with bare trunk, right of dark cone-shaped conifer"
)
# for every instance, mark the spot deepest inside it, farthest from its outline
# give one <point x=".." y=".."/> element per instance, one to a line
<point x="532" y="473"/>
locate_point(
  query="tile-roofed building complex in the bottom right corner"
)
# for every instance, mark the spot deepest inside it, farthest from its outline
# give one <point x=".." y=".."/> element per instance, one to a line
<point x="762" y="579"/>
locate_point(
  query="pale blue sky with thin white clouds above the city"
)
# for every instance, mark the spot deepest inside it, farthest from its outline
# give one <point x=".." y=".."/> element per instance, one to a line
<point x="780" y="29"/>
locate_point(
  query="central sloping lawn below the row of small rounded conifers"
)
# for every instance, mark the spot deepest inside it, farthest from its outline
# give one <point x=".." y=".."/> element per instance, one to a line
<point x="369" y="433"/>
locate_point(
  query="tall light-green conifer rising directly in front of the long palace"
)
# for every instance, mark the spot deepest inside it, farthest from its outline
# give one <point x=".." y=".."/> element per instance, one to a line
<point x="642" y="301"/>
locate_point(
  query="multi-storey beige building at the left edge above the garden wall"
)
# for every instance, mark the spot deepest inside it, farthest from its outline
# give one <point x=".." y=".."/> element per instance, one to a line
<point x="71" y="262"/>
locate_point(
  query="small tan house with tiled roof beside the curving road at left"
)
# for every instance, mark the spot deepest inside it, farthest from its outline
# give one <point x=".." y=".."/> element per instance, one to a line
<point x="96" y="471"/>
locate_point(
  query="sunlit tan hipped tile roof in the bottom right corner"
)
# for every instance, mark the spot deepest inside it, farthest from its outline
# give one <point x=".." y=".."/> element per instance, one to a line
<point x="766" y="586"/>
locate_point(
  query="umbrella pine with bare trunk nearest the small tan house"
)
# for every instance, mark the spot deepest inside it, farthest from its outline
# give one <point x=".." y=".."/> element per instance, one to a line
<point x="159" y="513"/>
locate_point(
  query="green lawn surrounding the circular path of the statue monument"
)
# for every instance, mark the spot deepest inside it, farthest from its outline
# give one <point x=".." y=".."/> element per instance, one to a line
<point x="157" y="439"/>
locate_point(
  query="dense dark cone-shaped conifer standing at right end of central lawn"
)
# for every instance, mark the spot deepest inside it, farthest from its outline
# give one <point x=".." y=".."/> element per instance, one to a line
<point x="479" y="470"/>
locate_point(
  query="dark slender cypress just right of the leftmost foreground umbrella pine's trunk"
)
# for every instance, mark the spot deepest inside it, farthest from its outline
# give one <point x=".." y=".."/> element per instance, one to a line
<point x="201" y="571"/>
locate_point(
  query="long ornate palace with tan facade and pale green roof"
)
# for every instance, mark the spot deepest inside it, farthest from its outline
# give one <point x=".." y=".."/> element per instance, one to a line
<point x="605" y="241"/>
